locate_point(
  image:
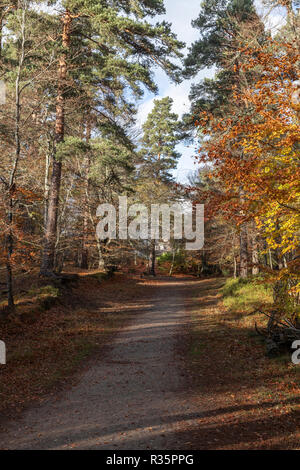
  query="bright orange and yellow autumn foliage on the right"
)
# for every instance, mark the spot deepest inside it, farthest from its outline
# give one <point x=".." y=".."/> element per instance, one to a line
<point x="254" y="149"/>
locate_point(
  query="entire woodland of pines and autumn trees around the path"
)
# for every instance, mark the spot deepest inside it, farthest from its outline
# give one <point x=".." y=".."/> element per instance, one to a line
<point x="68" y="143"/>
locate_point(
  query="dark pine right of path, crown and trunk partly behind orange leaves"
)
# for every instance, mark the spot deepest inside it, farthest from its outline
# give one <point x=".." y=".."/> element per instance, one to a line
<point x="225" y="26"/>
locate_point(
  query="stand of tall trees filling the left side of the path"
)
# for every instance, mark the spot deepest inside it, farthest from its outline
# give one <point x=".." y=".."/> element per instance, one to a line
<point x="73" y="72"/>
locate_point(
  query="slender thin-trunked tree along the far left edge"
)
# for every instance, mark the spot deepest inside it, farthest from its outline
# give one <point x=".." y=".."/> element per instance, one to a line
<point x="24" y="64"/>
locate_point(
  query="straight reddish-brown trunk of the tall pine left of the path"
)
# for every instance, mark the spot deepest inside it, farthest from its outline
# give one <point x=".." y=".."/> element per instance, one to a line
<point x="48" y="255"/>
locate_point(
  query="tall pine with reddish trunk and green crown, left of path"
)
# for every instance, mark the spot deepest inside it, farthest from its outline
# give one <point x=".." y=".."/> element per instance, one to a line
<point x="116" y="48"/>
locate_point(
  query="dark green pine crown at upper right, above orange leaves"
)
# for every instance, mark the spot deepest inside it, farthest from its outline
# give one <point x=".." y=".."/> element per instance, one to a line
<point x="220" y="24"/>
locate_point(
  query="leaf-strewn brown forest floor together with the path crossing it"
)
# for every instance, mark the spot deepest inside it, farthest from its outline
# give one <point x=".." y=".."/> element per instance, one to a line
<point x="168" y="369"/>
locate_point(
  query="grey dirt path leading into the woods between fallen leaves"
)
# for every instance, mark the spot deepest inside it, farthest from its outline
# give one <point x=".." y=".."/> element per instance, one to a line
<point x="135" y="397"/>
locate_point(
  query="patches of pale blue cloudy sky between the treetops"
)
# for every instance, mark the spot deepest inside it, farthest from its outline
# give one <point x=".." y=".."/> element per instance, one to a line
<point x="180" y="13"/>
